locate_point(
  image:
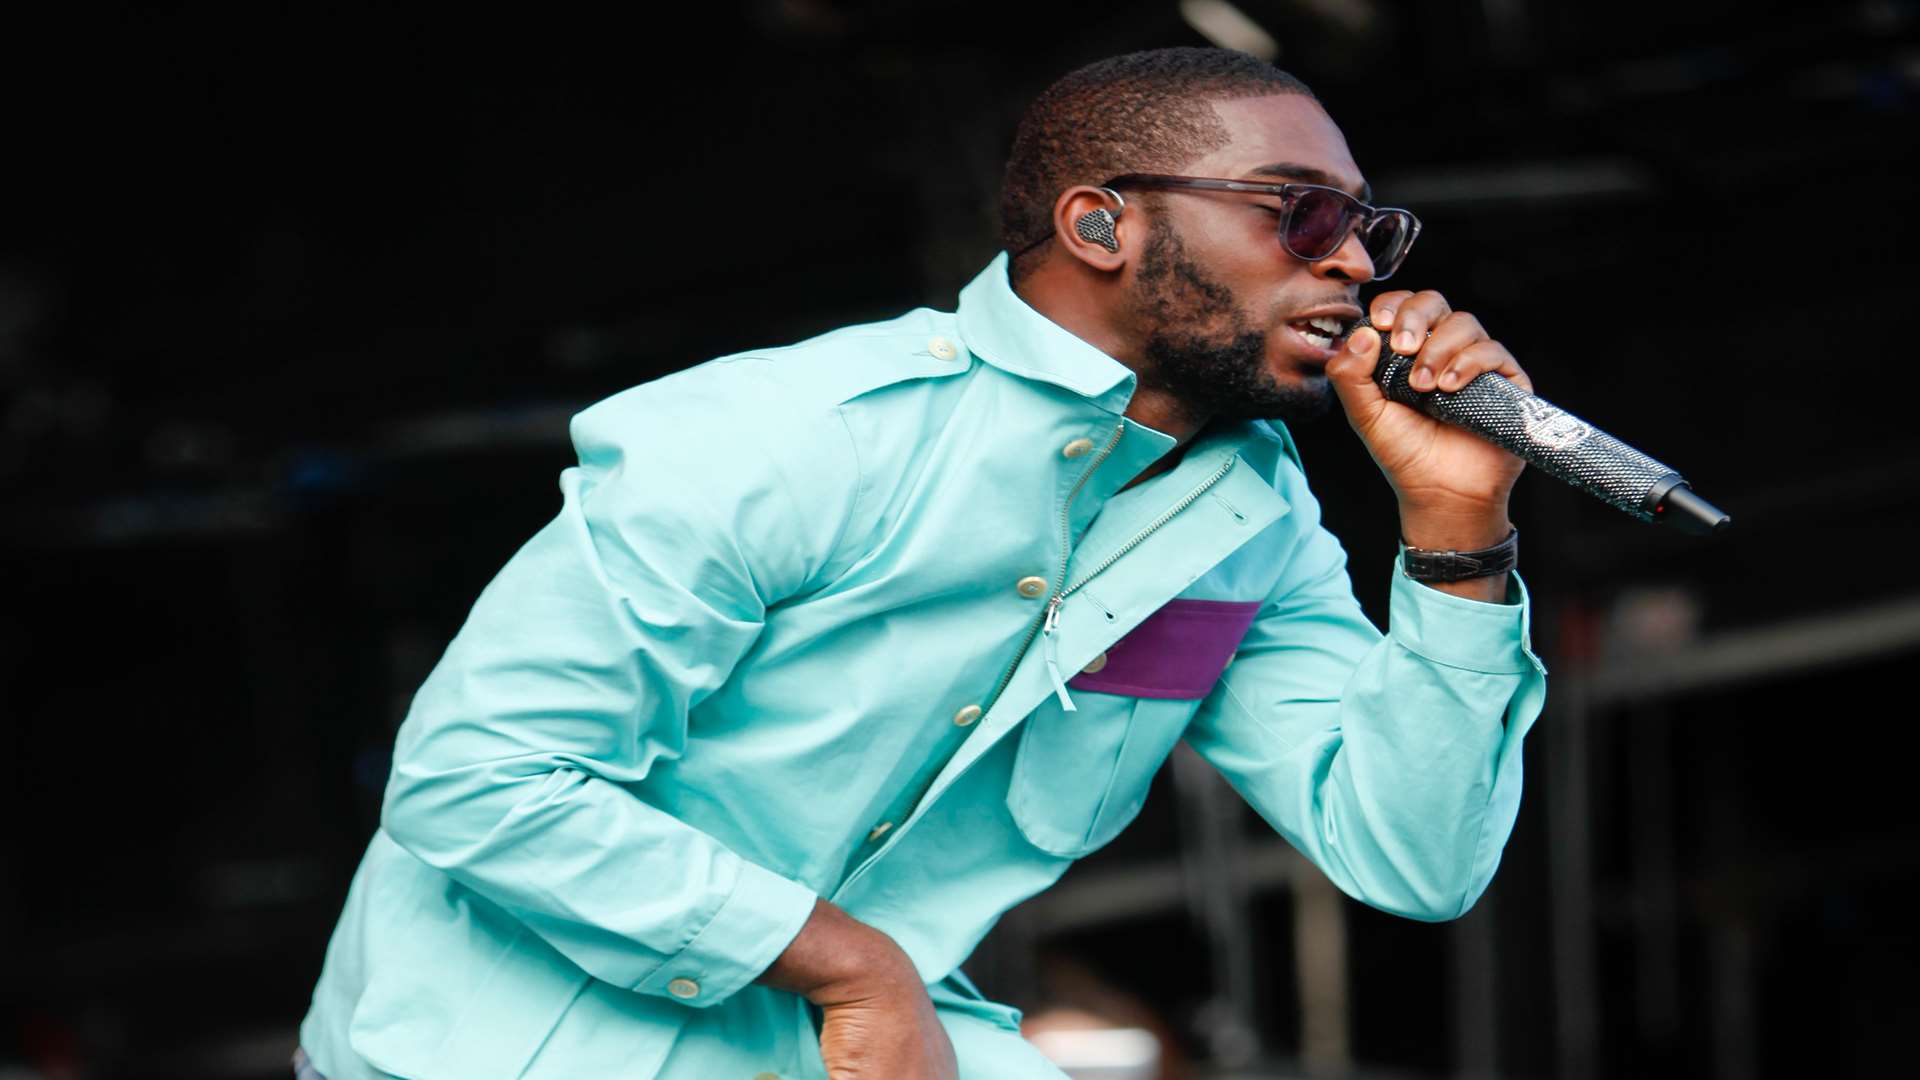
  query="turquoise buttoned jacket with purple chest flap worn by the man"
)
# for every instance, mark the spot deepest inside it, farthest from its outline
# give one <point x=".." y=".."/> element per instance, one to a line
<point x="869" y="618"/>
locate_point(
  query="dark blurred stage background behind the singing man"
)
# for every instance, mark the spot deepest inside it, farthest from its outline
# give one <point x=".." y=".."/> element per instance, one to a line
<point x="295" y="307"/>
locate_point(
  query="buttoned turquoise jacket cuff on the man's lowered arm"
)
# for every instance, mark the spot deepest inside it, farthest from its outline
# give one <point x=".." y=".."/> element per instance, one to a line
<point x="757" y="921"/>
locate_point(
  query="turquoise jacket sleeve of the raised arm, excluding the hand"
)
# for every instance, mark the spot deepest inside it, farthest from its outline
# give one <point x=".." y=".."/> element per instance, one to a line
<point x="1393" y="762"/>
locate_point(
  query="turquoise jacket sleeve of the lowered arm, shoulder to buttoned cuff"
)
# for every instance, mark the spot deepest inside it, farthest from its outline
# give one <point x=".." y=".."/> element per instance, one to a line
<point x="521" y="768"/>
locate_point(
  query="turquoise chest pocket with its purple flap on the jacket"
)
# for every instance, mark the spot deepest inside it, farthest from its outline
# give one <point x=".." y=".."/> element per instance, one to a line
<point x="1082" y="777"/>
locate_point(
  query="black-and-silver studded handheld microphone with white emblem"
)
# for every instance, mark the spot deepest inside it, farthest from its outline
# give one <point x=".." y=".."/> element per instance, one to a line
<point x="1556" y="443"/>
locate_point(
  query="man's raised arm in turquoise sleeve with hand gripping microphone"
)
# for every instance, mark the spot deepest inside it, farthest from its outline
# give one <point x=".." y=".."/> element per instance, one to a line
<point x="1395" y="764"/>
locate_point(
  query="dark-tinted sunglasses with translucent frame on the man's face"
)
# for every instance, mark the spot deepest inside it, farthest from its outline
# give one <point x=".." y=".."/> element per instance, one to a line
<point x="1314" y="218"/>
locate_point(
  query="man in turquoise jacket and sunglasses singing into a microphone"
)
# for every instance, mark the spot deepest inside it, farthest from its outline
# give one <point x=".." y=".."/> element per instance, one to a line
<point x="840" y="650"/>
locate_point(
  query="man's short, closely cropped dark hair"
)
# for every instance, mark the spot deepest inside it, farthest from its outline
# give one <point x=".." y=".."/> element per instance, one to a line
<point x="1143" y="112"/>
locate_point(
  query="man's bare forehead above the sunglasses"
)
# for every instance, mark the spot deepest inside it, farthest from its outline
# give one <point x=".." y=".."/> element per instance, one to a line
<point x="1282" y="137"/>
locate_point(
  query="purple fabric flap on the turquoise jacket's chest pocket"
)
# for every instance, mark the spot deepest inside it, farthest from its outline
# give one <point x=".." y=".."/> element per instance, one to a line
<point x="1178" y="652"/>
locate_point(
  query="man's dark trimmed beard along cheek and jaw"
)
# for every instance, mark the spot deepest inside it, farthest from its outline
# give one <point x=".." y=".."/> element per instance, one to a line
<point x="1203" y="351"/>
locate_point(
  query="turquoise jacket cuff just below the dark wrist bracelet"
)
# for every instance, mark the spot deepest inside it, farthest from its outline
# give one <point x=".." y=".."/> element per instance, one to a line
<point x="1464" y="633"/>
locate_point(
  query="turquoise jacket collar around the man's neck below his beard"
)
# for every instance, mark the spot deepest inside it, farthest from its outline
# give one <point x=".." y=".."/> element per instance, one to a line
<point x="1003" y="330"/>
